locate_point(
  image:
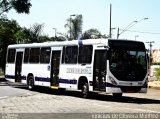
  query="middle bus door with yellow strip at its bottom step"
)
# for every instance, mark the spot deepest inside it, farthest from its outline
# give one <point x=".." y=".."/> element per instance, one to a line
<point x="55" y="62"/>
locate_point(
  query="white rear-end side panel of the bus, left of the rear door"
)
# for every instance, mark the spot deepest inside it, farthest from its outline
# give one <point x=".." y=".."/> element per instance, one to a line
<point x="10" y="72"/>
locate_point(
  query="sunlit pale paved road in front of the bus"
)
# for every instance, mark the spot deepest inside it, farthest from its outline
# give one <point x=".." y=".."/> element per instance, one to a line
<point x="17" y="99"/>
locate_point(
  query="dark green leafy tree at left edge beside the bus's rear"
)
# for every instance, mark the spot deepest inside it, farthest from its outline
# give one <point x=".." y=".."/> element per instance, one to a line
<point x="8" y="30"/>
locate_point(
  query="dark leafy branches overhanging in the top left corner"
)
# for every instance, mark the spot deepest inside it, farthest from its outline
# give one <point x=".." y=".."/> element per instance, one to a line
<point x="21" y="6"/>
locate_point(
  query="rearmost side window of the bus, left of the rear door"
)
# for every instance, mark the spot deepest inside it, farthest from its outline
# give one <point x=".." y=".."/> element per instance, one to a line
<point x="11" y="55"/>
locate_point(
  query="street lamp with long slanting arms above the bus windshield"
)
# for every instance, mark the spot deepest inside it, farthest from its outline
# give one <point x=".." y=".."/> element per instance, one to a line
<point x="129" y="26"/>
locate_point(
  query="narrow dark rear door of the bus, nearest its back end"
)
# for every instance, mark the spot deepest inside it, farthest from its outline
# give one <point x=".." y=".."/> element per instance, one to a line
<point x="18" y="66"/>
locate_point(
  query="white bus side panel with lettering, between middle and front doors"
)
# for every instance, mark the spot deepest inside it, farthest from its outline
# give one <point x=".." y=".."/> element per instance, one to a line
<point x="70" y="74"/>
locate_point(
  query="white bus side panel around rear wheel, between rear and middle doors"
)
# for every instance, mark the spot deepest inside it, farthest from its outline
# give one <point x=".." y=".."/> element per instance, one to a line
<point x="40" y="72"/>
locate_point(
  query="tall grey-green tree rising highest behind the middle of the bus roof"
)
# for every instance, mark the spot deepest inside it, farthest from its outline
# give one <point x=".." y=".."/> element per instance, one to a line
<point x="74" y="27"/>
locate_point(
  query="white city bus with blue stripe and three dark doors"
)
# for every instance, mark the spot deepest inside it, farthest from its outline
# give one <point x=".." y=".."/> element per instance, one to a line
<point x="114" y="66"/>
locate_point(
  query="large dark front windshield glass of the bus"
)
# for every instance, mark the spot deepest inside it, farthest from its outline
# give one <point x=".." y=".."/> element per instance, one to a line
<point x="128" y="62"/>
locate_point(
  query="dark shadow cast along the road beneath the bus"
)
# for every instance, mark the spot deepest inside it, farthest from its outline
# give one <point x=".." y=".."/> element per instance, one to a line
<point x="100" y="97"/>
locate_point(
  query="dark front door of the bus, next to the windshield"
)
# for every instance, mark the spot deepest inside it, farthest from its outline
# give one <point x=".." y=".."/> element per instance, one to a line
<point x="99" y="72"/>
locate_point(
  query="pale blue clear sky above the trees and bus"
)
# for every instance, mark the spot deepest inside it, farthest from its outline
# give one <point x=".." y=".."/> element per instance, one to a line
<point x="96" y="14"/>
